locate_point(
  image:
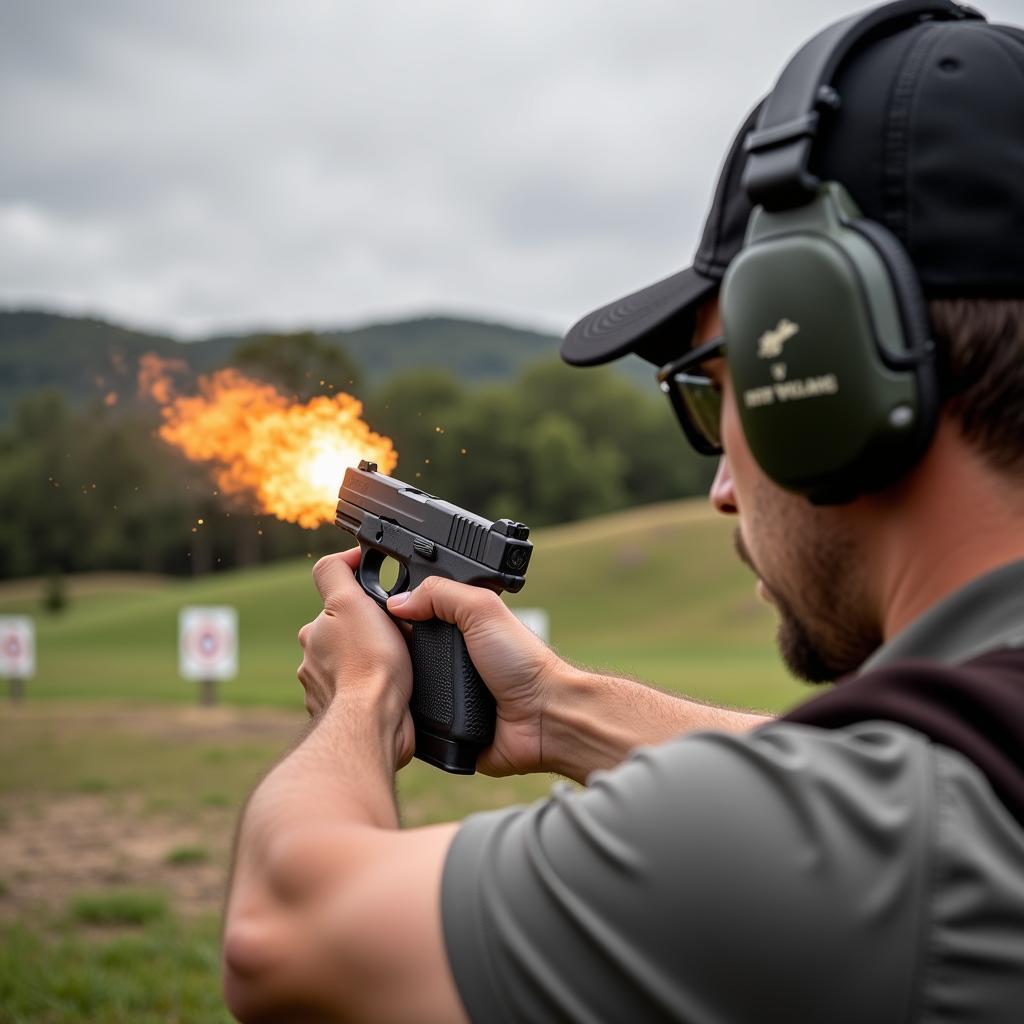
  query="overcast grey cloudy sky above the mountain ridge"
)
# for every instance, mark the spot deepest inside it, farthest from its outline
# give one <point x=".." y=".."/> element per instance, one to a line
<point x="203" y="166"/>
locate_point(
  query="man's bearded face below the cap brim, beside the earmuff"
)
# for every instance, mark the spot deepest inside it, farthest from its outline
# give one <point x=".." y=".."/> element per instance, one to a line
<point x="808" y="560"/>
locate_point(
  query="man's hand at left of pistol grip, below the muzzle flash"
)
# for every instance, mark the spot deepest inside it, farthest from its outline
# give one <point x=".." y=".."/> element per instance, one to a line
<point x="354" y="651"/>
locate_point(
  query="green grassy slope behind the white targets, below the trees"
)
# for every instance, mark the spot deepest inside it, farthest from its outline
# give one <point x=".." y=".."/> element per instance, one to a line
<point x="656" y="593"/>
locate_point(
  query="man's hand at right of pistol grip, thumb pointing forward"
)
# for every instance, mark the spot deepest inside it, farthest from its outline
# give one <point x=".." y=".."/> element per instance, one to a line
<point x="515" y="664"/>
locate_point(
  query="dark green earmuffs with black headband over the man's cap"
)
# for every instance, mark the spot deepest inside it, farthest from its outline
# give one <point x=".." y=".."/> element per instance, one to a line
<point x="827" y="327"/>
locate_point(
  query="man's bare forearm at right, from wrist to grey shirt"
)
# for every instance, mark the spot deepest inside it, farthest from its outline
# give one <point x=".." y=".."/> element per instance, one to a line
<point x="595" y="720"/>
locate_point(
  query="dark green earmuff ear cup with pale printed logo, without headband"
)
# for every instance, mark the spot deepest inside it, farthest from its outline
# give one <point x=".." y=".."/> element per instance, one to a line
<point x="831" y="402"/>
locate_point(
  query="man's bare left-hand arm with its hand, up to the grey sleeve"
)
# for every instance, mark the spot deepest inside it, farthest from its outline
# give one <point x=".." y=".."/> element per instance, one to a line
<point x="333" y="913"/>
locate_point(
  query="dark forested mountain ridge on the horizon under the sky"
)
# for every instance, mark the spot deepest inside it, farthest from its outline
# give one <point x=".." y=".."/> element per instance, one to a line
<point x="89" y="359"/>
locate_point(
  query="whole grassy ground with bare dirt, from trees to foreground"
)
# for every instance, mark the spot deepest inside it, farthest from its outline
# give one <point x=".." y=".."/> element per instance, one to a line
<point x="118" y="794"/>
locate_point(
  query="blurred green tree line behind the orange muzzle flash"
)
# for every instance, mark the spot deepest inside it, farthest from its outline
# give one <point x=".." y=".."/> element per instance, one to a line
<point x="95" y="489"/>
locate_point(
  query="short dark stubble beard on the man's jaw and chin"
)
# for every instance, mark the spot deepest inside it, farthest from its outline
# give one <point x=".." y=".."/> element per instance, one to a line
<point x="824" y="632"/>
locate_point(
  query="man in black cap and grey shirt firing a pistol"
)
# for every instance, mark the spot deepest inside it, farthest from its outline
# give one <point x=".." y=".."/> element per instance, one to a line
<point x="862" y="860"/>
